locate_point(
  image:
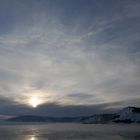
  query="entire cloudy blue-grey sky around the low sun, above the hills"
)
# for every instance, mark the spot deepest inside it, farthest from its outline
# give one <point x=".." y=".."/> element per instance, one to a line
<point x="76" y="57"/>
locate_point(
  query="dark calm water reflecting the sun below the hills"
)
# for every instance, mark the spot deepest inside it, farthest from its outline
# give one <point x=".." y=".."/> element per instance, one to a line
<point x="70" y="132"/>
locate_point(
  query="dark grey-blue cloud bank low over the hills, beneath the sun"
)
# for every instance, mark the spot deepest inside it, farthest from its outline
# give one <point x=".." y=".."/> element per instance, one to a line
<point x="11" y="108"/>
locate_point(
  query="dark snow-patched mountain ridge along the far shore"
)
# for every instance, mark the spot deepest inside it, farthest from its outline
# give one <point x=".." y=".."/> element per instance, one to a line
<point x="126" y="115"/>
